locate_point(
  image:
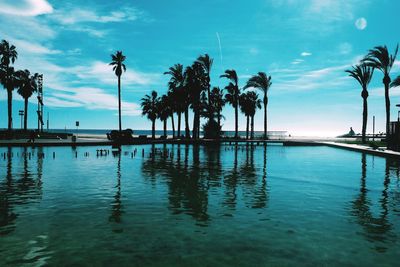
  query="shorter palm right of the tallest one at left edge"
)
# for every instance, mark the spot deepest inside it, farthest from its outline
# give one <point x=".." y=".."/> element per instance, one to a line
<point x="27" y="86"/>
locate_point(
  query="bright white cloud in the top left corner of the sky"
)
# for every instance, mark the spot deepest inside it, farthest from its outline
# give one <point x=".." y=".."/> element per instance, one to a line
<point x="27" y="8"/>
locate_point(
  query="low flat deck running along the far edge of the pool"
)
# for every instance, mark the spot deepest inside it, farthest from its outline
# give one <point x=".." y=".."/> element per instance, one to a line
<point x="285" y="142"/>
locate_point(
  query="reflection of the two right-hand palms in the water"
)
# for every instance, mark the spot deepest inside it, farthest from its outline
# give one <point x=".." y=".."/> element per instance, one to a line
<point x="376" y="229"/>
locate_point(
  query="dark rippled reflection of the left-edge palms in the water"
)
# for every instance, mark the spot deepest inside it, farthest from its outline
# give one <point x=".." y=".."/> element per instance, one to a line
<point x="20" y="191"/>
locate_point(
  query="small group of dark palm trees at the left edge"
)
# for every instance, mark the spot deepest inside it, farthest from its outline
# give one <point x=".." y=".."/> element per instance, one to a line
<point x="11" y="79"/>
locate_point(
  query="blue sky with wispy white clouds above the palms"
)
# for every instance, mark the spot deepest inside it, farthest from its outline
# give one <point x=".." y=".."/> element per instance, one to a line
<point x="305" y="45"/>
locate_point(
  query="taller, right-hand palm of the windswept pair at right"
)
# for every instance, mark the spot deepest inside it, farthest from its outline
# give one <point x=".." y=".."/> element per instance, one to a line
<point x="379" y="58"/>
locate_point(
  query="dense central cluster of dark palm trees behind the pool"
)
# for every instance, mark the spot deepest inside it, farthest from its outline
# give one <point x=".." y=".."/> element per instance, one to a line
<point x="190" y="89"/>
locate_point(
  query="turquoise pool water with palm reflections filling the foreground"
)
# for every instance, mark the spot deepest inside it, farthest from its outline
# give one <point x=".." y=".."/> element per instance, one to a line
<point x="204" y="206"/>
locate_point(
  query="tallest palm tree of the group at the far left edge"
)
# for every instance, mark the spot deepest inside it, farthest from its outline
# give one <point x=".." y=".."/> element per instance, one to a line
<point x="8" y="54"/>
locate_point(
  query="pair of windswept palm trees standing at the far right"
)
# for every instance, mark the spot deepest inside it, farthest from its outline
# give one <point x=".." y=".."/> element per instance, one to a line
<point x="377" y="58"/>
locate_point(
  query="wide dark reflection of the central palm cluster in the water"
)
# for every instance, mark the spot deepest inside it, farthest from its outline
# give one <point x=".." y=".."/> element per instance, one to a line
<point x="190" y="180"/>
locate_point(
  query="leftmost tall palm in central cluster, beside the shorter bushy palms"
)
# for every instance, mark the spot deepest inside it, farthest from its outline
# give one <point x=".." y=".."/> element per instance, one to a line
<point x="176" y="90"/>
